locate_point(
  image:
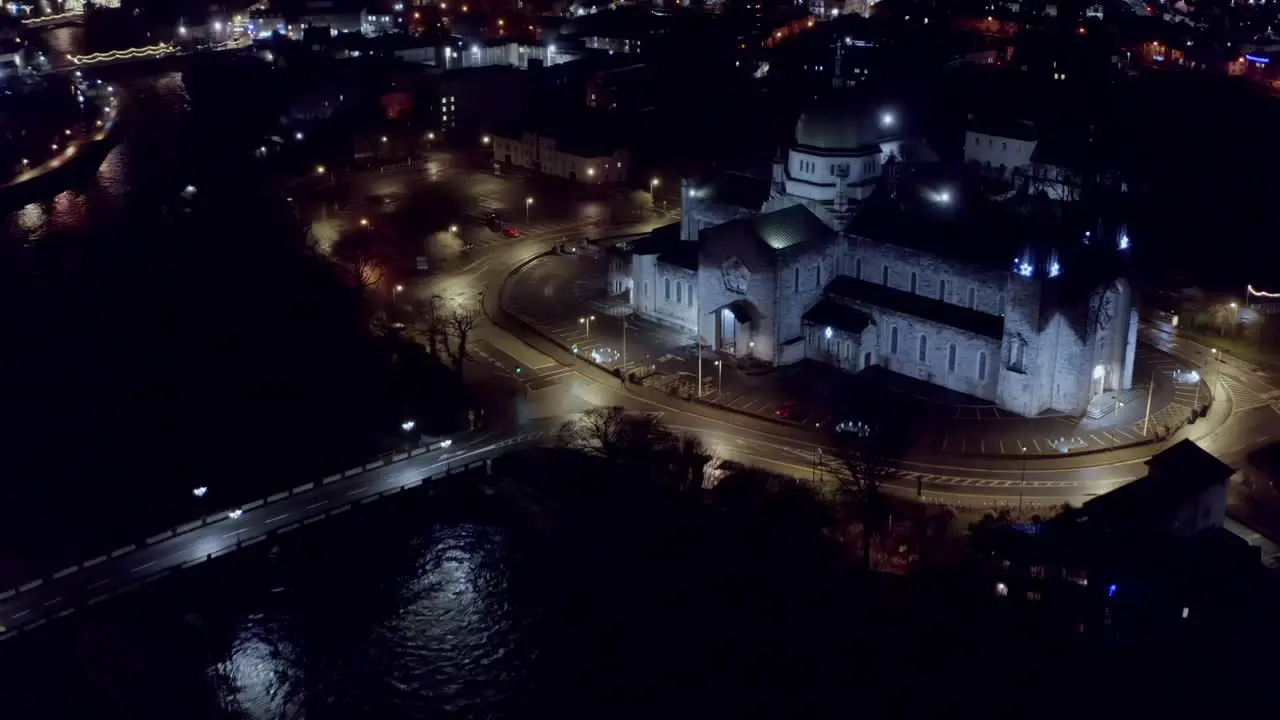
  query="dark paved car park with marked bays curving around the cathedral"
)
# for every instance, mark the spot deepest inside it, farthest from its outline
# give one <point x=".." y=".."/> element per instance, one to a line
<point x="564" y="299"/>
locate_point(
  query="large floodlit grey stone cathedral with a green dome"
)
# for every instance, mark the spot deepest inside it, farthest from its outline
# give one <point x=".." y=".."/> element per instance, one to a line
<point x="865" y="250"/>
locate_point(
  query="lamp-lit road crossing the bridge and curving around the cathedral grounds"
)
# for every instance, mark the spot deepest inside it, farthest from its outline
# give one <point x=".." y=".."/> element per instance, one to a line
<point x="556" y="386"/>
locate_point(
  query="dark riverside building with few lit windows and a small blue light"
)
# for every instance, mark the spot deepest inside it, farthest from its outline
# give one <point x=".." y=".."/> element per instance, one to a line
<point x="1153" y="554"/>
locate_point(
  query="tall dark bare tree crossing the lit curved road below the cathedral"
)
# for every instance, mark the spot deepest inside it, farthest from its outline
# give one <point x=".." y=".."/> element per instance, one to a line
<point x="861" y="471"/>
